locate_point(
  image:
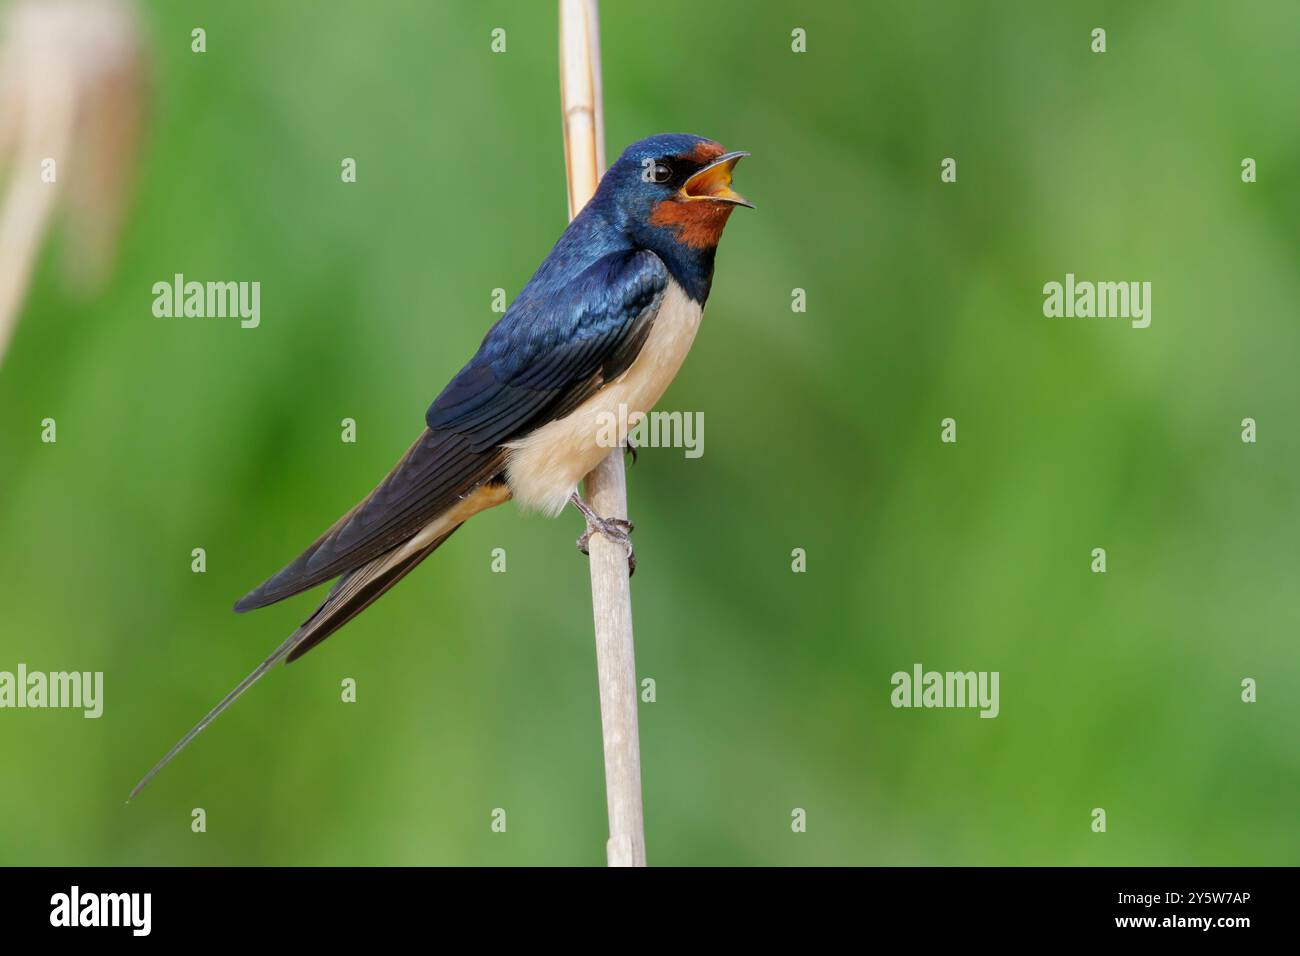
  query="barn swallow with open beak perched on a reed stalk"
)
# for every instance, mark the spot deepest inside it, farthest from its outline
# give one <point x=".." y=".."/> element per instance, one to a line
<point x="605" y="323"/>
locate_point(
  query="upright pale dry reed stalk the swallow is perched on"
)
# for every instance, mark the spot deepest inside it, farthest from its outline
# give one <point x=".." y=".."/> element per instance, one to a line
<point x="606" y="487"/>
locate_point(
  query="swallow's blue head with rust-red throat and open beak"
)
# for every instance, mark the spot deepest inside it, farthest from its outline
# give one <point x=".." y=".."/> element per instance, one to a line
<point x="673" y="192"/>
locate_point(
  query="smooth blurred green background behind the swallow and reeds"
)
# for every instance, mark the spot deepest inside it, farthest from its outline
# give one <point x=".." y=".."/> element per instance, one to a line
<point x="478" y="690"/>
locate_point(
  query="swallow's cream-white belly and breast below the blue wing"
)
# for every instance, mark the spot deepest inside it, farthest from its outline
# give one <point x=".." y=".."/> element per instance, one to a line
<point x="547" y="466"/>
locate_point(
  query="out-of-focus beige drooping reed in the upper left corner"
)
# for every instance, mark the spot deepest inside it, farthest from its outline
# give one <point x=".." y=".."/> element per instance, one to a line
<point x="72" y="90"/>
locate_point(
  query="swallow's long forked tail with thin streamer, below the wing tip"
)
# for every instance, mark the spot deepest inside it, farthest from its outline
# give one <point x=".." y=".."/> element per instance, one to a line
<point x="349" y="598"/>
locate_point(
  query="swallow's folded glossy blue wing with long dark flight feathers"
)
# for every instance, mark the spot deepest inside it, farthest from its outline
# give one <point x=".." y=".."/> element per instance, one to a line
<point x="558" y="345"/>
